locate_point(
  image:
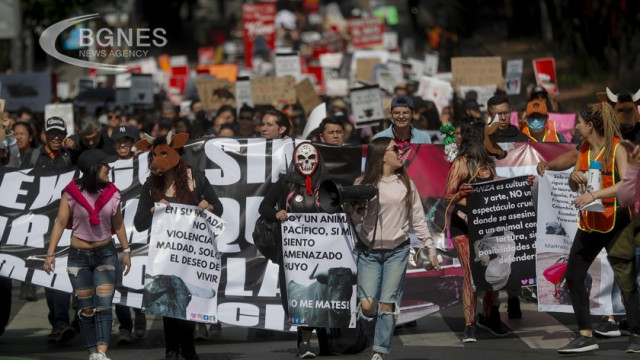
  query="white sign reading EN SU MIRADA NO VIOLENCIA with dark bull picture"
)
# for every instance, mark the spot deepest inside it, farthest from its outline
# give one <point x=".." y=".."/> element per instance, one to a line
<point x="183" y="265"/>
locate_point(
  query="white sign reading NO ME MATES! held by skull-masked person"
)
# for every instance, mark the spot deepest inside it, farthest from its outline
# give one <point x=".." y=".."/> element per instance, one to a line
<point x="320" y="269"/>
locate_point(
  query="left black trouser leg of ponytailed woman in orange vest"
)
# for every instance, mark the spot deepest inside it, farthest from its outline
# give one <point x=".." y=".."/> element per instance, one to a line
<point x="584" y="250"/>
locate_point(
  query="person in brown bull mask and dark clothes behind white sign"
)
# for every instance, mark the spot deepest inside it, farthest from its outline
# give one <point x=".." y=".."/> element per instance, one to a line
<point x="172" y="181"/>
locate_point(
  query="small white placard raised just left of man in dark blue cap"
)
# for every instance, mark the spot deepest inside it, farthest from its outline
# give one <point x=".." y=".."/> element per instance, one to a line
<point x="366" y="105"/>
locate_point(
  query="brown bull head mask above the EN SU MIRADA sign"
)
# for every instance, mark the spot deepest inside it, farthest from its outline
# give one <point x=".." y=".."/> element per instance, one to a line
<point x="164" y="150"/>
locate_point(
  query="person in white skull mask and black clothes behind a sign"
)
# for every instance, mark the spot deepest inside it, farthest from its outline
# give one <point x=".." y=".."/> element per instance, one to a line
<point x="297" y="191"/>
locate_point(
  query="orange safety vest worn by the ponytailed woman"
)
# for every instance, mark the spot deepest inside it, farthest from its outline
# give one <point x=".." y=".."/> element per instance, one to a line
<point x="594" y="221"/>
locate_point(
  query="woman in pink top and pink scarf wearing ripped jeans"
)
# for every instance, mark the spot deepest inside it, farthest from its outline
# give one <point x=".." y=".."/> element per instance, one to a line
<point x="91" y="206"/>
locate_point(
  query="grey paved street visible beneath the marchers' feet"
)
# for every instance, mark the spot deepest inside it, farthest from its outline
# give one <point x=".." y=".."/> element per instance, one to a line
<point x="536" y="336"/>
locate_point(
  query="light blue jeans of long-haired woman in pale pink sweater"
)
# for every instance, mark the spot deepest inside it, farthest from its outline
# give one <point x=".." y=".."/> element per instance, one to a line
<point x="381" y="279"/>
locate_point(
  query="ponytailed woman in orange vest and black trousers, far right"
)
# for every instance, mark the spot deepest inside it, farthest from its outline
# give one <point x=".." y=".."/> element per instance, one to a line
<point x="599" y="128"/>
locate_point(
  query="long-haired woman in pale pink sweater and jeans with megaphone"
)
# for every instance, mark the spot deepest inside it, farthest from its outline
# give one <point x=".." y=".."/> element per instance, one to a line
<point x="383" y="249"/>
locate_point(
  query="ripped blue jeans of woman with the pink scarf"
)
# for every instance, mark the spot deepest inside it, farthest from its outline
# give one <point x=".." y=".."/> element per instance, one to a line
<point x="93" y="277"/>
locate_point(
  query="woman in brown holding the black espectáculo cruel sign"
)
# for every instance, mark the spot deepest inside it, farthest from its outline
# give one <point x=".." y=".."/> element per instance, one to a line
<point x="473" y="164"/>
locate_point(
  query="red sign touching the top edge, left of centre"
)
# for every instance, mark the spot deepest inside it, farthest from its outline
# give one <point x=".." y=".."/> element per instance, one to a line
<point x="259" y="29"/>
